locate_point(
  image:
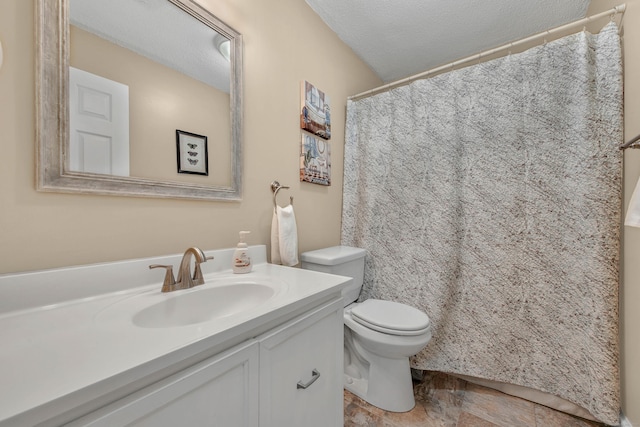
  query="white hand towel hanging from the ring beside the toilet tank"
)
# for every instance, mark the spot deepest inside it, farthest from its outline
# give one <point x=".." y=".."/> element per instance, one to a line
<point x="284" y="237"/>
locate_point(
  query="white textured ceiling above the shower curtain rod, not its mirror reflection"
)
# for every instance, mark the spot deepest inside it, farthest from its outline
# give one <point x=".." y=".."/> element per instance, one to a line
<point x="405" y="37"/>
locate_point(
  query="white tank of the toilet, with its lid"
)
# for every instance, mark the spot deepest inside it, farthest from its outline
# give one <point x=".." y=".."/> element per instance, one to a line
<point x="341" y="260"/>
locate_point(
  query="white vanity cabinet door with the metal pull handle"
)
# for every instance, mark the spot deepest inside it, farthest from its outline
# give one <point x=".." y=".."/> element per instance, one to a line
<point x="301" y="371"/>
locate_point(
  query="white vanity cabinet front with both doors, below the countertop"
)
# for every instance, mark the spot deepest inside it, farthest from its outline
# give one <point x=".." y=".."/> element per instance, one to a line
<point x="288" y="376"/>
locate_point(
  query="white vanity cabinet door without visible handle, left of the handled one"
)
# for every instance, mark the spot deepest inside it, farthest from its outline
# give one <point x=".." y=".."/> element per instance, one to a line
<point x="220" y="391"/>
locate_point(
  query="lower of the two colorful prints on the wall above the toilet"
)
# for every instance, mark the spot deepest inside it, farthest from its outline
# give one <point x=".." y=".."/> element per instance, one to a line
<point x="315" y="160"/>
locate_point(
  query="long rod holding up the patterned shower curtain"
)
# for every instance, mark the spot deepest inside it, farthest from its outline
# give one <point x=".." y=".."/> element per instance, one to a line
<point x="611" y="12"/>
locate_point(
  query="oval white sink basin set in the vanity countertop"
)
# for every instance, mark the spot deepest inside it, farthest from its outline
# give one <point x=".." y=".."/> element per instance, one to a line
<point x="201" y="305"/>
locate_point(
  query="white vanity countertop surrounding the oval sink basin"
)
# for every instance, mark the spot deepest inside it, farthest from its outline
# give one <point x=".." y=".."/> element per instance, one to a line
<point x="68" y="354"/>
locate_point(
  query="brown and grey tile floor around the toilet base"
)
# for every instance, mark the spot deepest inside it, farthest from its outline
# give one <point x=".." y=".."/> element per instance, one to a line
<point x="446" y="401"/>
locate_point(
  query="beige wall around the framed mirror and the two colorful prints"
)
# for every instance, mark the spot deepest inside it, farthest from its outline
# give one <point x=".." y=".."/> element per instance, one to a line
<point x="285" y="42"/>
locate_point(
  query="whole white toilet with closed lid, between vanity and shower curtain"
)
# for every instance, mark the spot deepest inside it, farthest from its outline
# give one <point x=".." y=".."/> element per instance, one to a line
<point x="379" y="336"/>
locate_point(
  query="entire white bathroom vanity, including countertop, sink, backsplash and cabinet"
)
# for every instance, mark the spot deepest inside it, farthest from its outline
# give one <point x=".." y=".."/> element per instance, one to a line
<point x="80" y="357"/>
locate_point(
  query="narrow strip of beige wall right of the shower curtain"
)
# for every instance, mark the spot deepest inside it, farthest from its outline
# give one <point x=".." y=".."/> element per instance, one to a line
<point x="630" y="289"/>
